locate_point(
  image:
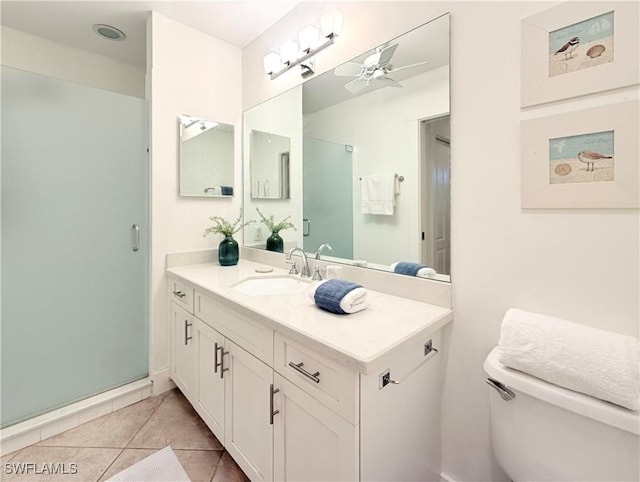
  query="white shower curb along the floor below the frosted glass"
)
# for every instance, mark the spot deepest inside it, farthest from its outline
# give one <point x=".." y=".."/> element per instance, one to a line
<point x="38" y="428"/>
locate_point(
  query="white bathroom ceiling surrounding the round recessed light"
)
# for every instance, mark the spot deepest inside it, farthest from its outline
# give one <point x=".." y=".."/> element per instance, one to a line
<point x="70" y="22"/>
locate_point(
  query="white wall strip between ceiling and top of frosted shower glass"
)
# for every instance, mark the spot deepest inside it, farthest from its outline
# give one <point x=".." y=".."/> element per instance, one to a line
<point x="35" y="54"/>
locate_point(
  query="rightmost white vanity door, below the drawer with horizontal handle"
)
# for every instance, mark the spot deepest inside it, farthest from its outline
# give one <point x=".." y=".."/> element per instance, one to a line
<point x="311" y="442"/>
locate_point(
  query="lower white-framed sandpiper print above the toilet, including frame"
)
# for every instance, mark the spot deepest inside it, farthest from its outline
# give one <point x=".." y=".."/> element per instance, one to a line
<point x="582" y="159"/>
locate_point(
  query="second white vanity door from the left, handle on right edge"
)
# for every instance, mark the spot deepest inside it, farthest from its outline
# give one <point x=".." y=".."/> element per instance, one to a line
<point x="210" y="404"/>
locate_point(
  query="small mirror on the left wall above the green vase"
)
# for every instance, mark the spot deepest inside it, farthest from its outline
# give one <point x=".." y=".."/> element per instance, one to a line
<point x="206" y="157"/>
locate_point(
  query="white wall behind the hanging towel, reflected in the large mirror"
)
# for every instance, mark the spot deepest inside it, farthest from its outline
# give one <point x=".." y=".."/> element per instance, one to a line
<point x="383" y="127"/>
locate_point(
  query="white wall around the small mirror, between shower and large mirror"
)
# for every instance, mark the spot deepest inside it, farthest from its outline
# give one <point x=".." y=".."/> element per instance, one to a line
<point x="188" y="73"/>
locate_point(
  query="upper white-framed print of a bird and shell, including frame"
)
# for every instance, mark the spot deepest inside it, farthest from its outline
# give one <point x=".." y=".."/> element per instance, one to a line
<point x="577" y="49"/>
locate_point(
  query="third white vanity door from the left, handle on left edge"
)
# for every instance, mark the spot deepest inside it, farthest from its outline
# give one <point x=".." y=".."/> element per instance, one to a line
<point x="248" y="432"/>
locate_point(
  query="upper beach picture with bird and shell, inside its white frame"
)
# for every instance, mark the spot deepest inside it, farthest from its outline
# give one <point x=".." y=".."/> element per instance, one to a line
<point x="582" y="45"/>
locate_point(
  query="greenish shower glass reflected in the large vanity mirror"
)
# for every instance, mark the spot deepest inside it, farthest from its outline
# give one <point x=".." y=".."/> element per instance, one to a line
<point x="327" y="196"/>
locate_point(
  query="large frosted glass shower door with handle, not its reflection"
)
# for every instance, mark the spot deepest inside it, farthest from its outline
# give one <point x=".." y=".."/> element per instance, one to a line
<point x="74" y="287"/>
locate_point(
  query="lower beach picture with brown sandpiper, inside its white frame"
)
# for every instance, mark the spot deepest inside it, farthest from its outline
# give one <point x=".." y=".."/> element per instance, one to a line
<point x="582" y="158"/>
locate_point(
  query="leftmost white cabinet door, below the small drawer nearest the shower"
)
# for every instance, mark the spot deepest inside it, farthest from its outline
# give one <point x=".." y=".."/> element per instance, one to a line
<point x="183" y="352"/>
